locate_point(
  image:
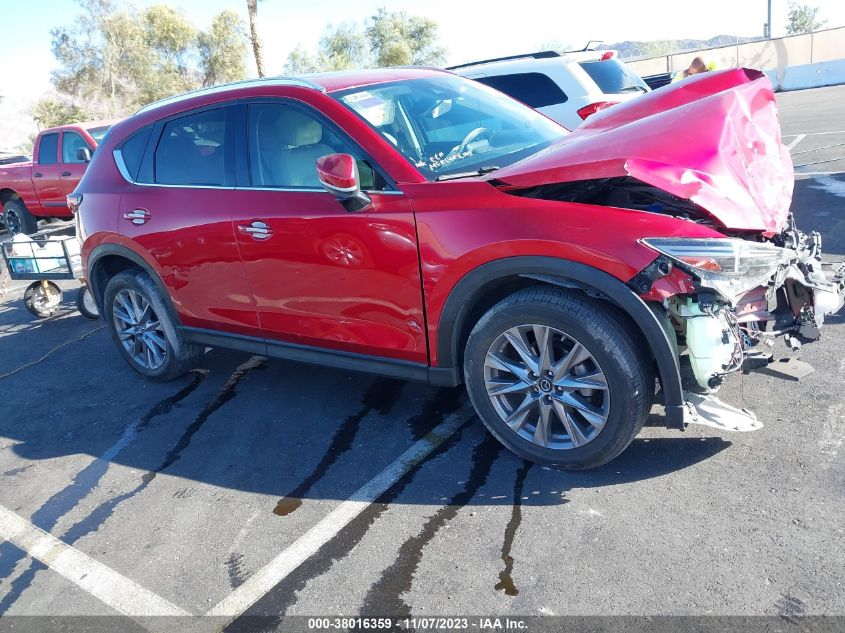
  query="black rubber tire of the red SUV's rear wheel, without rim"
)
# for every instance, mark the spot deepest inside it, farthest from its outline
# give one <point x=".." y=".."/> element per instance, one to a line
<point x="180" y="356"/>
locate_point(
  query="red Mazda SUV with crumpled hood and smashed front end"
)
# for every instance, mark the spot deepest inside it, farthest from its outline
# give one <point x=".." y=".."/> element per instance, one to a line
<point x="416" y="224"/>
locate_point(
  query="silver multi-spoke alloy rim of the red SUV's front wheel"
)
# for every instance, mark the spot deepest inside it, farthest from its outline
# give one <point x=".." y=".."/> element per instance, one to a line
<point x="547" y="387"/>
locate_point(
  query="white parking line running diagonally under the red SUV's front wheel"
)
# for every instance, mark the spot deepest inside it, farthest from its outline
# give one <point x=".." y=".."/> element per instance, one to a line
<point x="307" y="545"/>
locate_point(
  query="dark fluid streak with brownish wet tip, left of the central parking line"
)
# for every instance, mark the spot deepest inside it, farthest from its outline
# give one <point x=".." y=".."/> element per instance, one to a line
<point x="381" y="396"/>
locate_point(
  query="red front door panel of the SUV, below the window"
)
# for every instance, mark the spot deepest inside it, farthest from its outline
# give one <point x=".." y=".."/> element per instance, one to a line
<point x="330" y="278"/>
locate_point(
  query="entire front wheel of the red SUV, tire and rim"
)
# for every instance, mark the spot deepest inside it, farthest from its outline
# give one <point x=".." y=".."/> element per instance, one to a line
<point x="557" y="379"/>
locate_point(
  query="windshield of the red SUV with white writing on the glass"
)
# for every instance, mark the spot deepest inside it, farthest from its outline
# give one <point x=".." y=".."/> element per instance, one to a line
<point x="450" y="125"/>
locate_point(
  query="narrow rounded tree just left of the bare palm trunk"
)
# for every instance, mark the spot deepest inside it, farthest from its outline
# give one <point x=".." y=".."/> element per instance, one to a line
<point x="222" y="50"/>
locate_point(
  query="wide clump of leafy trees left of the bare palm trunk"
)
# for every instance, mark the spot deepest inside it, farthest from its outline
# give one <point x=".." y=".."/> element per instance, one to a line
<point x="113" y="59"/>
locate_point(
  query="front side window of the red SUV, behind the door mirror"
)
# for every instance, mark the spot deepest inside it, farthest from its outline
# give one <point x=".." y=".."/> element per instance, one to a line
<point x="285" y="143"/>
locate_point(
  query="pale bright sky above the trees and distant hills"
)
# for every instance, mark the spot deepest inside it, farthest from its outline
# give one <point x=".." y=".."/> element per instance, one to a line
<point x="469" y="29"/>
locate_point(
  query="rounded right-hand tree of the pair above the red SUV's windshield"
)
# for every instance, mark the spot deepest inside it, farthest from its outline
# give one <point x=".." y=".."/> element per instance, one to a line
<point x="399" y="39"/>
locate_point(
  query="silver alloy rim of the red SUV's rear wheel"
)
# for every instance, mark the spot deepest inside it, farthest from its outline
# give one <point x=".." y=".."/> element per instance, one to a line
<point x="139" y="329"/>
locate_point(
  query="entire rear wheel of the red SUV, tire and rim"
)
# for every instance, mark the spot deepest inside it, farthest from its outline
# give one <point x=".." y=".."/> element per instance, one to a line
<point x="144" y="328"/>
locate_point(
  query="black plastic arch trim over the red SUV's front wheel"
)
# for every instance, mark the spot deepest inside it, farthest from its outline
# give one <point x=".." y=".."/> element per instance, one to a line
<point x="568" y="274"/>
